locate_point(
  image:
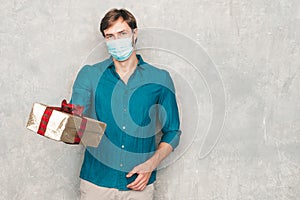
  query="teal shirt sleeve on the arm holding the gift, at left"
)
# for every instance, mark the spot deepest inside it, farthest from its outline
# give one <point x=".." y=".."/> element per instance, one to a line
<point x="81" y="92"/>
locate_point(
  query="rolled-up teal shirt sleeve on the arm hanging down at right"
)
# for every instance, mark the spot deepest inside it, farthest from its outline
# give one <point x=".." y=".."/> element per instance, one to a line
<point x="168" y="113"/>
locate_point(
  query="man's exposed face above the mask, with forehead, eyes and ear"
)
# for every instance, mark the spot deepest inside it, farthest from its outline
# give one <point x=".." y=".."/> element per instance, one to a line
<point x="120" y="29"/>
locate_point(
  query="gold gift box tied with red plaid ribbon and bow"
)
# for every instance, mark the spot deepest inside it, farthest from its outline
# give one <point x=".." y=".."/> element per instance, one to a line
<point x="66" y="124"/>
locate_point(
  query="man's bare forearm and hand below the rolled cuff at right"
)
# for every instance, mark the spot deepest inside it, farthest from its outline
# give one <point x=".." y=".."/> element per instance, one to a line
<point x="145" y="169"/>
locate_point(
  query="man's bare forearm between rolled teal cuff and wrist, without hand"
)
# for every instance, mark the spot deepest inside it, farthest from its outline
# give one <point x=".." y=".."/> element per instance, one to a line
<point x="163" y="150"/>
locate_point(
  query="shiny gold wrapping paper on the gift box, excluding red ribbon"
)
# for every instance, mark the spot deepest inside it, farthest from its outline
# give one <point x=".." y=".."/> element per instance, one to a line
<point x="63" y="126"/>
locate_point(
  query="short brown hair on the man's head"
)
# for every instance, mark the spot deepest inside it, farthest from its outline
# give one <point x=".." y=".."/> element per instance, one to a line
<point x="113" y="15"/>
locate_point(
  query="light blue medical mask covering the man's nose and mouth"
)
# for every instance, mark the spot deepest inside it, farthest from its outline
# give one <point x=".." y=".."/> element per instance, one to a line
<point x="120" y="49"/>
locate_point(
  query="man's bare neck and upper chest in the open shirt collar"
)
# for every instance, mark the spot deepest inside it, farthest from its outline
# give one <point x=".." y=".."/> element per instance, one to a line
<point x="127" y="67"/>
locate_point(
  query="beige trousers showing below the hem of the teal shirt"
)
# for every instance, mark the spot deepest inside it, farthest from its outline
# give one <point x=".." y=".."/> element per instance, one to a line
<point x="90" y="191"/>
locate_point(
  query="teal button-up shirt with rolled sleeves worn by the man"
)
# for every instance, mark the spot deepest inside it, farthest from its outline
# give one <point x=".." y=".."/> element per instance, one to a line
<point x="130" y="111"/>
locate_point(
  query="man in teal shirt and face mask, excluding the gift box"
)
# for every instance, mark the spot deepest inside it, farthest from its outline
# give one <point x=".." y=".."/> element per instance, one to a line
<point x="127" y="94"/>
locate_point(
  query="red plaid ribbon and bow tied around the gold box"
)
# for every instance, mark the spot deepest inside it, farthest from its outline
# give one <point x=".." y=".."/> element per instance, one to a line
<point x="67" y="108"/>
